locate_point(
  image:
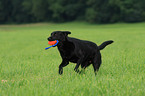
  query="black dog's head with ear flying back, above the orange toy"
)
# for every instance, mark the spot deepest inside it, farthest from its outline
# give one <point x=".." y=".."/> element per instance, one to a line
<point x="58" y="35"/>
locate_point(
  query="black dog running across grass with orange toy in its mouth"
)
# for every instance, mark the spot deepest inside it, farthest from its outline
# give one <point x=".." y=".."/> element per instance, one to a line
<point x="77" y="51"/>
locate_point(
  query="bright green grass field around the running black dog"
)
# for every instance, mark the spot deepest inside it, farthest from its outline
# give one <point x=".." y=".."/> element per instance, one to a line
<point x="26" y="69"/>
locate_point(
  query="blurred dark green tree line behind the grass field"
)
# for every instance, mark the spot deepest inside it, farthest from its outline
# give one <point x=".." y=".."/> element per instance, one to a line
<point x="94" y="11"/>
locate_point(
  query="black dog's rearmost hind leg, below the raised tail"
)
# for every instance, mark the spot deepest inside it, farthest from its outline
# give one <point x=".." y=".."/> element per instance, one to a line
<point x="96" y="63"/>
